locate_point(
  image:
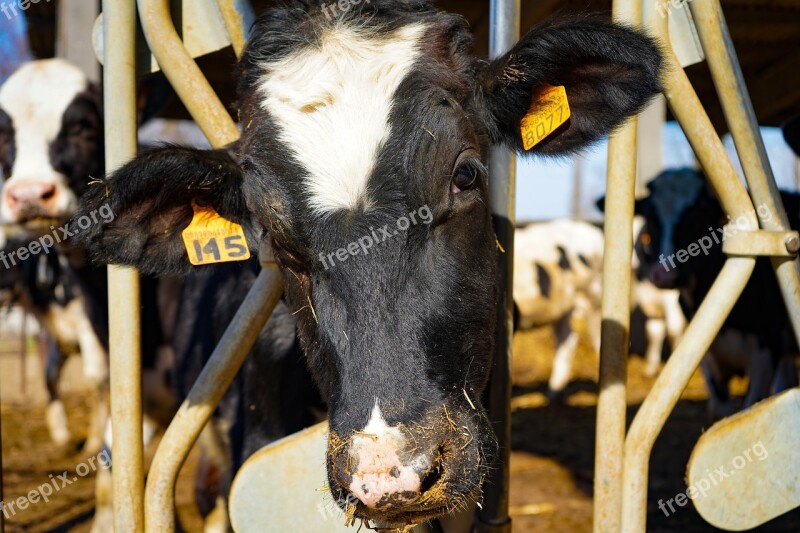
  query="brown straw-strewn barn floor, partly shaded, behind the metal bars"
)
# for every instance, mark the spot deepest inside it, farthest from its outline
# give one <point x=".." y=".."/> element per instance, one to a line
<point x="551" y="466"/>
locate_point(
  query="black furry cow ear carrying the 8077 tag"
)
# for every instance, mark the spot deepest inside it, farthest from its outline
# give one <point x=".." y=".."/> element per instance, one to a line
<point x="609" y="72"/>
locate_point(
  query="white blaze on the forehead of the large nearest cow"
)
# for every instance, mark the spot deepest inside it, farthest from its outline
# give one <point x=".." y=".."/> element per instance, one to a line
<point x="332" y="103"/>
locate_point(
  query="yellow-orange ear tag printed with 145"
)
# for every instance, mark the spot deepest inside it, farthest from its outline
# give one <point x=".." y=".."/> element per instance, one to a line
<point x="211" y="239"/>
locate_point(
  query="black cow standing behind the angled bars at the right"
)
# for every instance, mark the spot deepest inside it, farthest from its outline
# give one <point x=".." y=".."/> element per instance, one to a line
<point x="683" y="214"/>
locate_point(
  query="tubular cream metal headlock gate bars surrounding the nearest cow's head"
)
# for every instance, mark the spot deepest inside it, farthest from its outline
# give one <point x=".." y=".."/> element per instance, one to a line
<point x="622" y="461"/>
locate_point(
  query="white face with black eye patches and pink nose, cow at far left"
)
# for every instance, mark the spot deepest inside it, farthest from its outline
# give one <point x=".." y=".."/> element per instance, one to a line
<point x="51" y="142"/>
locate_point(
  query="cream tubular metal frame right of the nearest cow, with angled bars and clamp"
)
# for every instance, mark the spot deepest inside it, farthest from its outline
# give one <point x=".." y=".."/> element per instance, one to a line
<point x="622" y="461"/>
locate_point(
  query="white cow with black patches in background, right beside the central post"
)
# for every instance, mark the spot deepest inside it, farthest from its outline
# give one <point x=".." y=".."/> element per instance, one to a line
<point x="558" y="277"/>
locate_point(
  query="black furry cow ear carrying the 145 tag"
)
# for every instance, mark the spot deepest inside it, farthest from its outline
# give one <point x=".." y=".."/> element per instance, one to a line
<point x="142" y="209"/>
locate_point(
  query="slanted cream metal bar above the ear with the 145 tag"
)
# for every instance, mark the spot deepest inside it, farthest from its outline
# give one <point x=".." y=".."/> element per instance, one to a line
<point x="184" y="74"/>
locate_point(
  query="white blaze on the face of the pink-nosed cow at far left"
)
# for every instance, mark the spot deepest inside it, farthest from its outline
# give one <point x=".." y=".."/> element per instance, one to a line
<point x="36" y="97"/>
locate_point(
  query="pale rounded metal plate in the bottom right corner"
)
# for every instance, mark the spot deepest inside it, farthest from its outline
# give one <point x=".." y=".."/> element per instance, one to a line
<point x="745" y="470"/>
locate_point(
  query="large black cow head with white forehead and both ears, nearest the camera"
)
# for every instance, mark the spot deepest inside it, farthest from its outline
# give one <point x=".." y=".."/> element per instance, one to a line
<point x="363" y="162"/>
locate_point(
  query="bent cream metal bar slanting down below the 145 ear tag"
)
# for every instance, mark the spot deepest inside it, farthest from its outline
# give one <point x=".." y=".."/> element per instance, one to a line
<point x="206" y="393"/>
